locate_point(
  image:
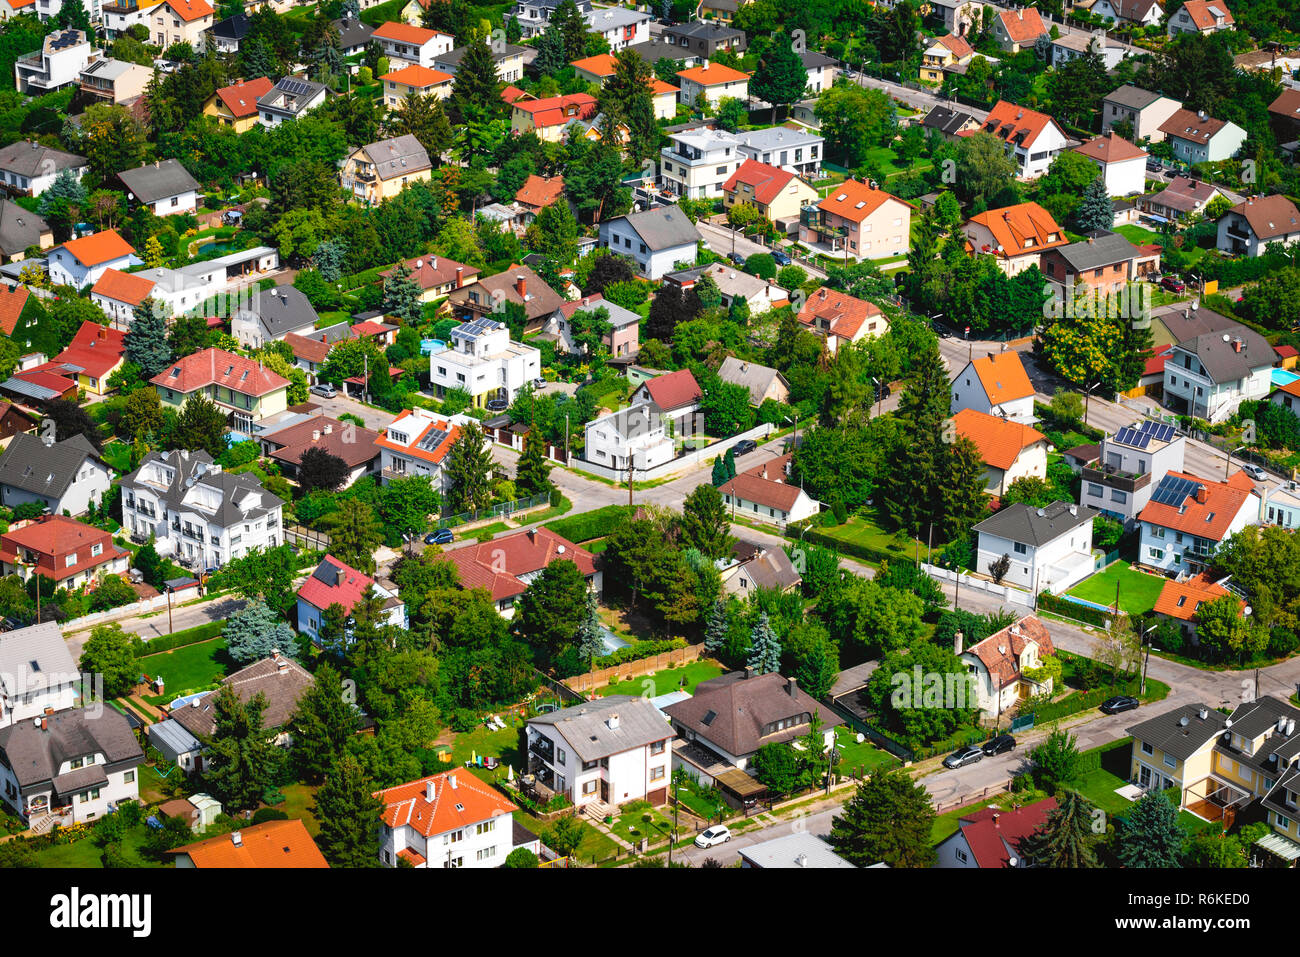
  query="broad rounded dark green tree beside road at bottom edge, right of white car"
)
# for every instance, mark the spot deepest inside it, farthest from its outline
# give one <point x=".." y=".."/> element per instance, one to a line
<point x="889" y="820"/>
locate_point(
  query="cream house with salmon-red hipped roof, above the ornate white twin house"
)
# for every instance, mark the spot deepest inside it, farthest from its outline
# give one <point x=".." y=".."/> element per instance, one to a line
<point x="246" y="391"/>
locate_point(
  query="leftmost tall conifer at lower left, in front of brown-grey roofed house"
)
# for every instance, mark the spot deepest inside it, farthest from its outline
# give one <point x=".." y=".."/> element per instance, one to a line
<point x="242" y="760"/>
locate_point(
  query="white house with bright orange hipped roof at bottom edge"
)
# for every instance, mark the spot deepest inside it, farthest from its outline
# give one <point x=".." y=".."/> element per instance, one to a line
<point x="450" y="820"/>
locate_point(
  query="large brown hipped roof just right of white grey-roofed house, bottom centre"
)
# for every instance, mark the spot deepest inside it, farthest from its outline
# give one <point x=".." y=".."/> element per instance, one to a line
<point x="743" y="708"/>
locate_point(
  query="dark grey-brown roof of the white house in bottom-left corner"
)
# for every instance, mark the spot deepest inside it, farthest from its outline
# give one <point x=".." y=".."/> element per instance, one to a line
<point x="36" y="755"/>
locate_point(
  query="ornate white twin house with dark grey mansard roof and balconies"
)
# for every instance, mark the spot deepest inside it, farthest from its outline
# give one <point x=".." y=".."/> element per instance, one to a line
<point x="200" y="514"/>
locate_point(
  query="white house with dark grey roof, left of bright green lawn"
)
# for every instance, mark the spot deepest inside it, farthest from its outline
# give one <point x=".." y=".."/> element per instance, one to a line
<point x="1050" y="549"/>
